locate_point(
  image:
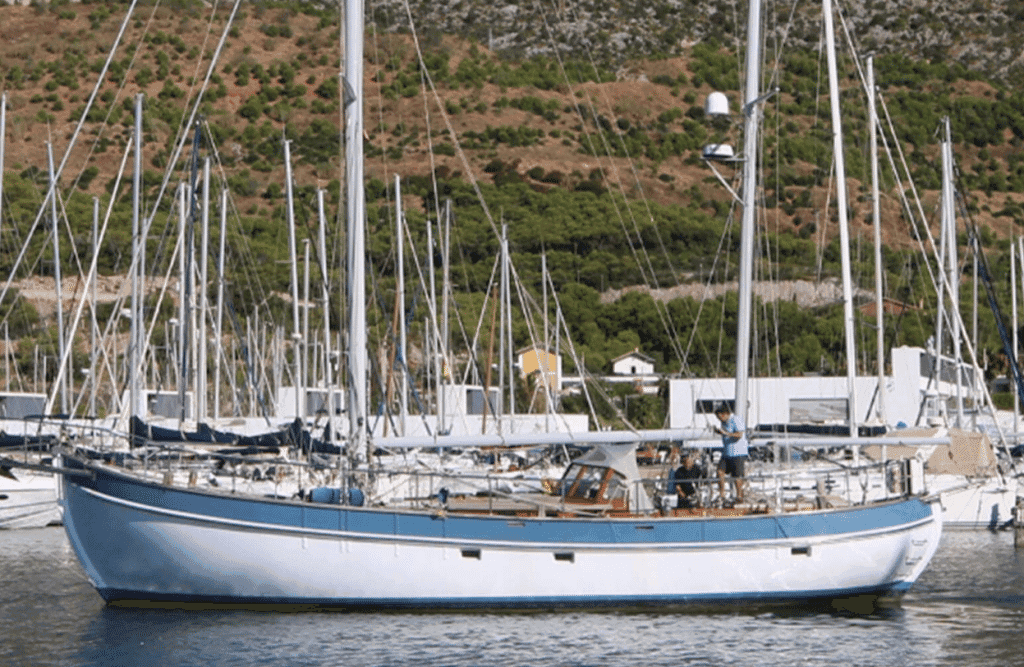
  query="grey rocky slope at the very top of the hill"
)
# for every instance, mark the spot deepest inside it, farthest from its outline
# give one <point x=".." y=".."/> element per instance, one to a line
<point x="980" y="36"/>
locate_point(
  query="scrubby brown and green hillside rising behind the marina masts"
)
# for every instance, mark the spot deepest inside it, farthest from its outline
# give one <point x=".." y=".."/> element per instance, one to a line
<point x="593" y="158"/>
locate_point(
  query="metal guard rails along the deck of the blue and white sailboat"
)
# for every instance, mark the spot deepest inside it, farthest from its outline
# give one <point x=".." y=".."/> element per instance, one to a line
<point x="775" y="489"/>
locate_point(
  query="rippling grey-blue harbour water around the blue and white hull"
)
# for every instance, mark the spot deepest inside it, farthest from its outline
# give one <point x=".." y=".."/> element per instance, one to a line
<point x="966" y="611"/>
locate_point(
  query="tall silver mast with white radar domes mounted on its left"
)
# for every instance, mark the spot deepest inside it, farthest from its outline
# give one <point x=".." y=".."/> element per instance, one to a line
<point x="751" y="122"/>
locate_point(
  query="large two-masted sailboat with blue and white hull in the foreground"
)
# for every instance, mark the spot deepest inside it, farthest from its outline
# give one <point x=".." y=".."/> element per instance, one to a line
<point x="598" y="538"/>
